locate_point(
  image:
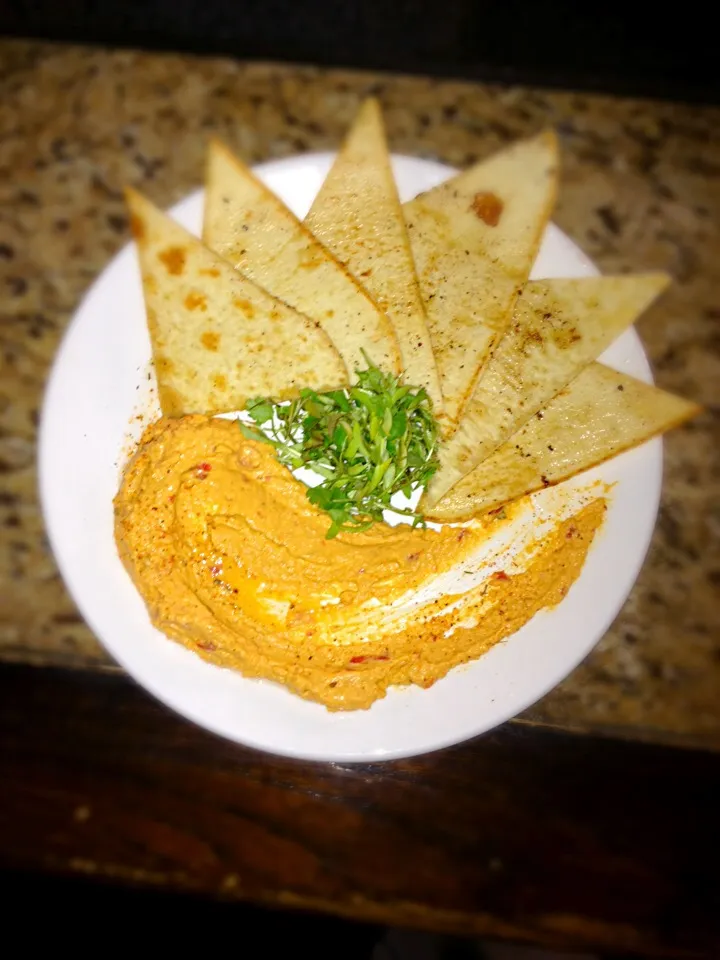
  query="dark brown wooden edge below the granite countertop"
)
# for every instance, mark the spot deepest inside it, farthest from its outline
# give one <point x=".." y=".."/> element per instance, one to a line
<point x="527" y="833"/>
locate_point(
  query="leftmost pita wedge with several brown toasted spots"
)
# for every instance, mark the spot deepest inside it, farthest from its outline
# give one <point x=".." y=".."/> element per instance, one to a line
<point x="217" y="338"/>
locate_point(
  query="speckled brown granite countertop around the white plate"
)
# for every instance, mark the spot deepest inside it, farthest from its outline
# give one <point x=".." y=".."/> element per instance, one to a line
<point x="640" y="191"/>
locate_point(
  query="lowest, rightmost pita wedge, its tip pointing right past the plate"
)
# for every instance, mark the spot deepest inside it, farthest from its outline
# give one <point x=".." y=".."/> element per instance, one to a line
<point x="601" y="414"/>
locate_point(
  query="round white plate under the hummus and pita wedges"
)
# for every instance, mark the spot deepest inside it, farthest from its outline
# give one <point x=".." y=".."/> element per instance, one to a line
<point x="99" y="373"/>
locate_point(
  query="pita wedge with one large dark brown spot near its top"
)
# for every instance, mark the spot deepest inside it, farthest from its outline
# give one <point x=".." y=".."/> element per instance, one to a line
<point x="474" y="239"/>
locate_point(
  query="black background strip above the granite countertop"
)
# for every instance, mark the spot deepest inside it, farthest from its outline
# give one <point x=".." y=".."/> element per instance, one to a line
<point x="632" y="48"/>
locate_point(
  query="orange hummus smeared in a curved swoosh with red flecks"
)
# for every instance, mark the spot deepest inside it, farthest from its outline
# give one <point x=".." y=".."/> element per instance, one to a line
<point x="232" y="561"/>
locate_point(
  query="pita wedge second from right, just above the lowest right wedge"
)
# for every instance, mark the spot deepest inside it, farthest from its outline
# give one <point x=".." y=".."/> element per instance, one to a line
<point x="558" y="327"/>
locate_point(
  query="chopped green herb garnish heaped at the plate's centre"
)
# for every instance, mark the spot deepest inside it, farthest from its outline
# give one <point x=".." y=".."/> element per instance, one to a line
<point x="367" y="442"/>
